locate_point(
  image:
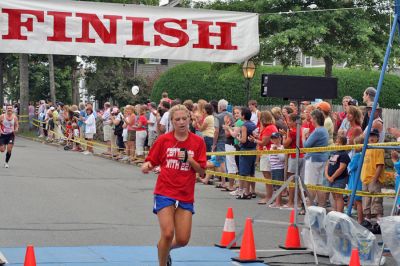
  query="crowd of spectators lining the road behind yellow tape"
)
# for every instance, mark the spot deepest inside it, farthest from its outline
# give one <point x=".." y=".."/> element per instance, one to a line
<point x="130" y="131"/>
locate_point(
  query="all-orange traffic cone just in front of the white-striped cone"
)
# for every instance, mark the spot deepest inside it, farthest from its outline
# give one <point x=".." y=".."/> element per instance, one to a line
<point x="248" y="249"/>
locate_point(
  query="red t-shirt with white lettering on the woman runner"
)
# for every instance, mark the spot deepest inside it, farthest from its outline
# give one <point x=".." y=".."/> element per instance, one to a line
<point x="176" y="179"/>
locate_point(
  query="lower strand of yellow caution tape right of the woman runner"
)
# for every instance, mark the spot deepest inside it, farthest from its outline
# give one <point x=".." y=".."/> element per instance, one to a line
<point x="309" y="187"/>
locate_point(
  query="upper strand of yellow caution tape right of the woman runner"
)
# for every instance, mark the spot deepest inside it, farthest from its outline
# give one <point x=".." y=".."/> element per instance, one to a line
<point x="303" y="150"/>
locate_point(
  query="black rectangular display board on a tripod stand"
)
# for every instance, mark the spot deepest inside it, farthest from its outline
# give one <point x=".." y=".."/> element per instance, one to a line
<point x="298" y="87"/>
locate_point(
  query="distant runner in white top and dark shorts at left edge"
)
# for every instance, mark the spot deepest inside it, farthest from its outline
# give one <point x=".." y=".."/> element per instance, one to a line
<point x="8" y="126"/>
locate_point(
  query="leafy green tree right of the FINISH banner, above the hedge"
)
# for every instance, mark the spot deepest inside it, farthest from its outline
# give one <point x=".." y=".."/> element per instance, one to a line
<point x="352" y="32"/>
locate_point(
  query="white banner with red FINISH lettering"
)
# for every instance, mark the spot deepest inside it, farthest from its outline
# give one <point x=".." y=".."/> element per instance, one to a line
<point x="117" y="30"/>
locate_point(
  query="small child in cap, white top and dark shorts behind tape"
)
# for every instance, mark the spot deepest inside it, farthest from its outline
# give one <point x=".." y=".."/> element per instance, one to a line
<point x="277" y="162"/>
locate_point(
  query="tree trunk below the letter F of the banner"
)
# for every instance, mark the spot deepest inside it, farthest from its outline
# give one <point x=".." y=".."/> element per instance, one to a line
<point x="24" y="88"/>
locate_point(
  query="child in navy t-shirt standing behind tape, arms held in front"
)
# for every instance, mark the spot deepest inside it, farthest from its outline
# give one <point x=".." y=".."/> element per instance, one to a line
<point x="336" y="172"/>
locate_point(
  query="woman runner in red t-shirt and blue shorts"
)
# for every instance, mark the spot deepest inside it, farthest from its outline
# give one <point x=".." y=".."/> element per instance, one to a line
<point x="180" y="154"/>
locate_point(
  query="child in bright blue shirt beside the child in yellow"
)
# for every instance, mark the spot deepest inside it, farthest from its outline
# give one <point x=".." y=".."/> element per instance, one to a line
<point x="353" y="165"/>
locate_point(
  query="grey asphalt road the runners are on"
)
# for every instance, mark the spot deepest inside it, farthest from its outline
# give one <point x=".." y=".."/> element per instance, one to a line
<point x="52" y="197"/>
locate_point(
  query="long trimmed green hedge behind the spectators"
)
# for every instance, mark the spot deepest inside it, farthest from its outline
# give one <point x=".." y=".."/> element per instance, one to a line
<point x="204" y="81"/>
